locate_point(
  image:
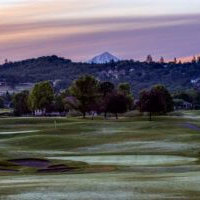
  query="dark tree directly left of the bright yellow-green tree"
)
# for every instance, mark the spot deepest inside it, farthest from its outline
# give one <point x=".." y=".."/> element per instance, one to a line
<point x="20" y="103"/>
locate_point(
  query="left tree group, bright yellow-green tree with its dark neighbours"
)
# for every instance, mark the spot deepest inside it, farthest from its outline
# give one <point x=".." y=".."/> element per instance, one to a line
<point x="41" y="98"/>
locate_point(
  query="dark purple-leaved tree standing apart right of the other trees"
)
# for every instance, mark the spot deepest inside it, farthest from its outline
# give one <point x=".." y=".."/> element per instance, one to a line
<point x="157" y="100"/>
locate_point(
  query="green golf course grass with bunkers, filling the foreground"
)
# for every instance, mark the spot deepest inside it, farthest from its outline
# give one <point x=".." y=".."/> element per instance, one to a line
<point x="82" y="159"/>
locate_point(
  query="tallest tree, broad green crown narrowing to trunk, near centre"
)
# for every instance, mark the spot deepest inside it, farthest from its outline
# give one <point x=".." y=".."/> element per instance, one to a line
<point x="86" y="91"/>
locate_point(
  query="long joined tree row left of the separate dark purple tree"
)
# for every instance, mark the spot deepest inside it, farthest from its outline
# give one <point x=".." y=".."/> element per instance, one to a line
<point x="86" y="95"/>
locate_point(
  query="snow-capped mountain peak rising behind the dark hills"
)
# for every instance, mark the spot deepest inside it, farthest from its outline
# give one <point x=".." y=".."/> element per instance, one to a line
<point x="104" y="58"/>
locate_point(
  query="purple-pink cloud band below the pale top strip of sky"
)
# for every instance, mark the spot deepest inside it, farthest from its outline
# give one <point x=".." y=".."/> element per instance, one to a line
<point x="130" y="37"/>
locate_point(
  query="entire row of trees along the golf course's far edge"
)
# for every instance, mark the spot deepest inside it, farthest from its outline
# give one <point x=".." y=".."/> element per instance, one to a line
<point x="88" y="95"/>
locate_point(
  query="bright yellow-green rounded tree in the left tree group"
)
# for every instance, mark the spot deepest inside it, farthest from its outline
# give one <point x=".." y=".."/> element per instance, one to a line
<point x="41" y="97"/>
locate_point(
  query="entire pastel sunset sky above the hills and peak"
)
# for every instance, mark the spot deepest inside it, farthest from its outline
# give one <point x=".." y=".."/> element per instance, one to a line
<point x="81" y="29"/>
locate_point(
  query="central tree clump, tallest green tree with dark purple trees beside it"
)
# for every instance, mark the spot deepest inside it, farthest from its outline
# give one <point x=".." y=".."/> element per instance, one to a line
<point x="93" y="95"/>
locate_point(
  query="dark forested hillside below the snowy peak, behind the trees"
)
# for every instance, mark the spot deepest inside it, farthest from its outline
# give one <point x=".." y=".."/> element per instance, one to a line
<point x="139" y="74"/>
